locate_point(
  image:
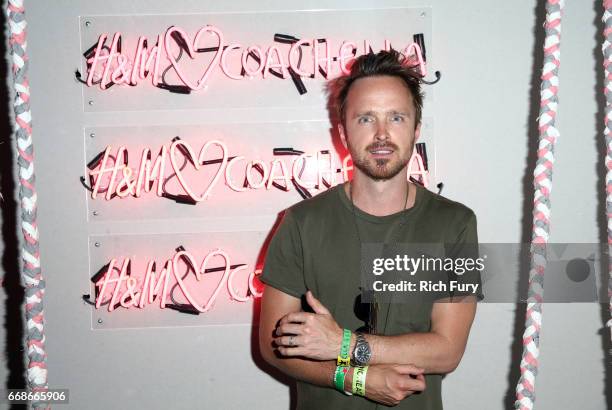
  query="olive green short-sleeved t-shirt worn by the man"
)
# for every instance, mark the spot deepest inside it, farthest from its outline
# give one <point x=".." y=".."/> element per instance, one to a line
<point x="317" y="247"/>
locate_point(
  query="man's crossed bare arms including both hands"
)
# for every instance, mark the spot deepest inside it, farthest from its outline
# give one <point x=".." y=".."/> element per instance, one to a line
<point x="397" y="364"/>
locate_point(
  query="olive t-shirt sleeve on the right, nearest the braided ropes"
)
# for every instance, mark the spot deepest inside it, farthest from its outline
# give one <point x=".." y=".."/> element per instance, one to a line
<point x="467" y="265"/>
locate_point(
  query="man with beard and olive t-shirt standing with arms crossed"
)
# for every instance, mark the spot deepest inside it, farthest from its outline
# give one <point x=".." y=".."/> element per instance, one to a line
<point x="316" y="250"/>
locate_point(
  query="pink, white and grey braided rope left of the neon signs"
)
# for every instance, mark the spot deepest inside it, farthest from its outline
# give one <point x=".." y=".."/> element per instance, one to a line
<point x="32" y="275"/>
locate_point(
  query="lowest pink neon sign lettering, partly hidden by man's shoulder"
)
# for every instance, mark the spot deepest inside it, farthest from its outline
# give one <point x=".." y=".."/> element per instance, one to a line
<point x="118" y="287"/>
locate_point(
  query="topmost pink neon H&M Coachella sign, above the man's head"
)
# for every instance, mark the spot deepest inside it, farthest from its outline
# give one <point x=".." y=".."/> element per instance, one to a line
<point x="110" y="64"/>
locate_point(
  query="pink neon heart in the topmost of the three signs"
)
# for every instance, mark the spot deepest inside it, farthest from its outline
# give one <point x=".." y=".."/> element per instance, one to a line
<point x="191" y="47"/>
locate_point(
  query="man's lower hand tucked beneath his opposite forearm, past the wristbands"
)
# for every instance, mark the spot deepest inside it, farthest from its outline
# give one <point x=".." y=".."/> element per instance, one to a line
<point x="389" y="384"/>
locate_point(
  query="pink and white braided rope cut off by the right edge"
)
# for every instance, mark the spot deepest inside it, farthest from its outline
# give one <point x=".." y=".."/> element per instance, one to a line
<point x="606" y="48"/>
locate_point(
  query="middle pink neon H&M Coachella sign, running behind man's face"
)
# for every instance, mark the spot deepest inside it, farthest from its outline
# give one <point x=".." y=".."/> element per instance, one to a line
<point x="114" y="177"/>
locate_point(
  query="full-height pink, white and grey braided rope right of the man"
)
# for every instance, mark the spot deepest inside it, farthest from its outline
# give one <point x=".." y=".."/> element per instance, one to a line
<point x="525" y="389"/>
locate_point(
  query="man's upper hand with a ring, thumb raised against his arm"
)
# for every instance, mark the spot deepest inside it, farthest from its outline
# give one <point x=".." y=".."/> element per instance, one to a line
<point x="311" y="335"/>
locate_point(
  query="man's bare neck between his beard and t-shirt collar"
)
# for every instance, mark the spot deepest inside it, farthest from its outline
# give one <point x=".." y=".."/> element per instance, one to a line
<point x="381" y="198"/>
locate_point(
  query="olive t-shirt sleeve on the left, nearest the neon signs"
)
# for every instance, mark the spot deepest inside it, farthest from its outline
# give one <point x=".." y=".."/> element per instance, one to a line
<point x="284" y="263"/>
